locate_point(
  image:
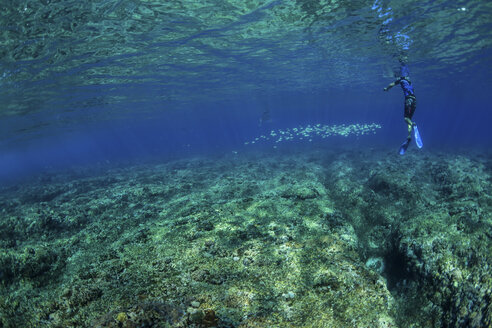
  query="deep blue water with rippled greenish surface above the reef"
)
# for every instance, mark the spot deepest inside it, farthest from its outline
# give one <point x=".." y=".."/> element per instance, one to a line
<point x="104" y="81"/>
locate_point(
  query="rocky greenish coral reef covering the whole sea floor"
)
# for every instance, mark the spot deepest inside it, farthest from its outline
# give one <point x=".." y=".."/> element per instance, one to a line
<point x="252" y="241"/>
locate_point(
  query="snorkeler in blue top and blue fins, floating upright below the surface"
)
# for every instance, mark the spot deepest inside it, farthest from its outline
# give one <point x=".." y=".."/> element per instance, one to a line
<point x="410" y="102"/>
